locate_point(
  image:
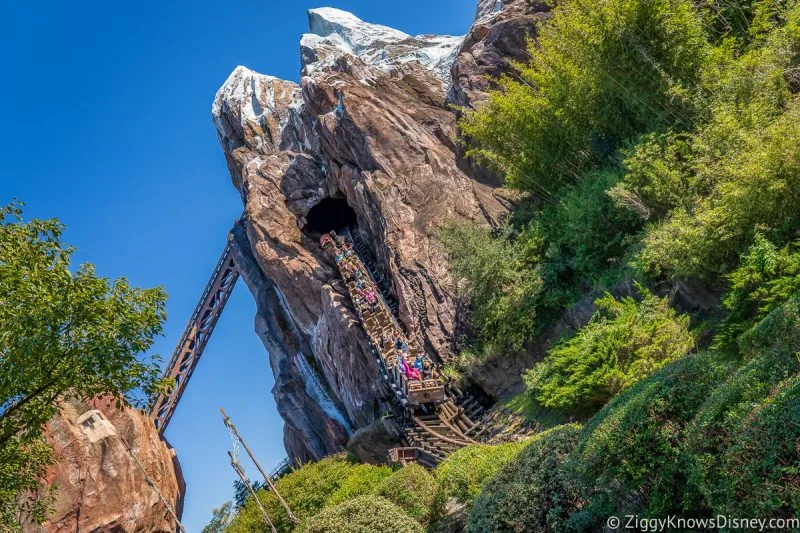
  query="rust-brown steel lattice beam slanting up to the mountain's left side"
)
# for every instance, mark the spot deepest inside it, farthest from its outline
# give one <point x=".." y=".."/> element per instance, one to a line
<point x="194" y="339"/>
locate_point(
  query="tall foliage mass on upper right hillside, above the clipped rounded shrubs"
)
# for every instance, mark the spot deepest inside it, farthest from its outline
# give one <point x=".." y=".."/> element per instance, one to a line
<point x="655" y="139"/>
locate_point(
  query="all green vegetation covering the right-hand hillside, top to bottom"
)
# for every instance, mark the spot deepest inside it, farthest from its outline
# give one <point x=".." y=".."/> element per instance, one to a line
<point x="657" y="144"/>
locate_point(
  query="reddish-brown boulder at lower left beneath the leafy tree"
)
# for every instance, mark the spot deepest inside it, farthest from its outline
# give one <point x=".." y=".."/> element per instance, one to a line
<point x="100" y="487"/>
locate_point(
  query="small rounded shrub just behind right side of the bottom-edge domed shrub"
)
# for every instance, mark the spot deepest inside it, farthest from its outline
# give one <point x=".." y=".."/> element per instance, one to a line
<point x="413" y="489"/>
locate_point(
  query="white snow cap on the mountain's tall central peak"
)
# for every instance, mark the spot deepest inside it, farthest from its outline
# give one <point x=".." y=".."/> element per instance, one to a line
<point x="334" y="33"/>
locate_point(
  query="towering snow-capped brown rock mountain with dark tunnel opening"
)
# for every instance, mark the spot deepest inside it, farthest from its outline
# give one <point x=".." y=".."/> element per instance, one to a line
<point x="366" y="140"/>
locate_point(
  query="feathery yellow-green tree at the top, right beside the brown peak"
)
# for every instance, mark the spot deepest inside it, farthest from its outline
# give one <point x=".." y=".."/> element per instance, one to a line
<point x="600" y="73"/>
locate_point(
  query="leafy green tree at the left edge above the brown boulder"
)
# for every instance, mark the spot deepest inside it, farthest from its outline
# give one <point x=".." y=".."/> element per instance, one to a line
<point x="63" y="334"/>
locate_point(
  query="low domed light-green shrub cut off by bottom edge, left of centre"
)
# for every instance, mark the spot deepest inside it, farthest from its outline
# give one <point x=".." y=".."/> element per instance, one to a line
<point x="365" y="514"/>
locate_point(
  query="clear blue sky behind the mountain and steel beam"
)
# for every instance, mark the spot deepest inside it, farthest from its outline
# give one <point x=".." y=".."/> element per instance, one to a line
<point x="105" y="125"/>
